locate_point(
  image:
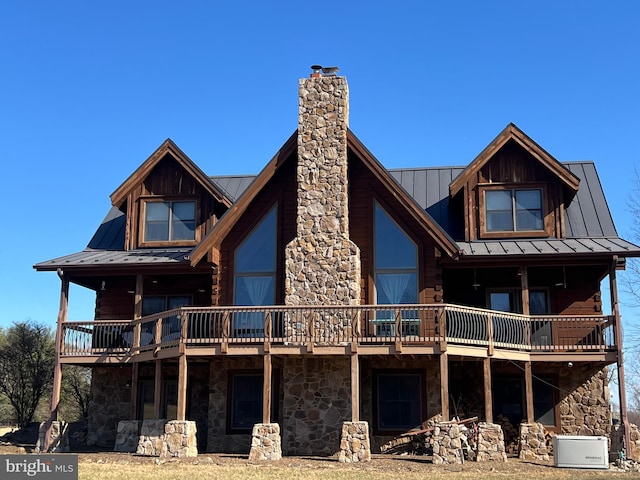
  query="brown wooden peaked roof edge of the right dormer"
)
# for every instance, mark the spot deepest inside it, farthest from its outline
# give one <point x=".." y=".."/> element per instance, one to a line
<point x="512" y="132"/>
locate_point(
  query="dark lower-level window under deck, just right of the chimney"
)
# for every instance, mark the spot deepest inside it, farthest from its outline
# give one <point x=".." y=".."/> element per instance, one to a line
<point x="398" y="401"/>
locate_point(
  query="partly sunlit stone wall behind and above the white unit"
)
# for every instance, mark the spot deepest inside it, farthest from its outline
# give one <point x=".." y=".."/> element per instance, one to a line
<point x="586" y="410"/>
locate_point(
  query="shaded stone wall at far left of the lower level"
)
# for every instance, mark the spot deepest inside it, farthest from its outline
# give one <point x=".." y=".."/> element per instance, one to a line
<point x="110" y="402"/>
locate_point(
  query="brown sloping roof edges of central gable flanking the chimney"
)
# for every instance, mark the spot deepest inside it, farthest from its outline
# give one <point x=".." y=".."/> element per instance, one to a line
<point x="215" y="236"/>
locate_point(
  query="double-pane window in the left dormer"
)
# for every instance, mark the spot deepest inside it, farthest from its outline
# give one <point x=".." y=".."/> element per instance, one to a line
<point x="169" y="221"/>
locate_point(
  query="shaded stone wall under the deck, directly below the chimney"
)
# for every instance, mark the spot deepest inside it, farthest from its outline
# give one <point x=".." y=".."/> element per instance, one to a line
<point x="317" y="400"/>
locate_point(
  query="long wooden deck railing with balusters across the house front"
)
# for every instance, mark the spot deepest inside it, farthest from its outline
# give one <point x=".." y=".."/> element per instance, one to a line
<point x="339" y="325"/>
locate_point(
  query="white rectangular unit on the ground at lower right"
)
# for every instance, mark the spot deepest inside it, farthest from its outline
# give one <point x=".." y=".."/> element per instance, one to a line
<point x="580" y="452"/>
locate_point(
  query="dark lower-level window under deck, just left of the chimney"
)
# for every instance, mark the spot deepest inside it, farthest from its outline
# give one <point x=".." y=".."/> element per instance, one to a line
<point x="245" y="400"/>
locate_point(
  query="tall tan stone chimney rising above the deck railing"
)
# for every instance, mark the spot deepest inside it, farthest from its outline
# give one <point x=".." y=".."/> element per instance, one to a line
<point x="322" y="264"/>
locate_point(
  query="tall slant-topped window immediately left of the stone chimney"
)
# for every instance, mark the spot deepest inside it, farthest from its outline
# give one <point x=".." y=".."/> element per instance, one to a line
<point x="255" y="274"/>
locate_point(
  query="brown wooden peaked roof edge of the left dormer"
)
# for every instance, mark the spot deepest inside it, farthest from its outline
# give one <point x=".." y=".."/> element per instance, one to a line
<point x="119" y="196"/>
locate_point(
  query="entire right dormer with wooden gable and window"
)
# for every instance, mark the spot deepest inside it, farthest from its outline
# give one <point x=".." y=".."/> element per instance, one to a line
<point x="513" y="189"/>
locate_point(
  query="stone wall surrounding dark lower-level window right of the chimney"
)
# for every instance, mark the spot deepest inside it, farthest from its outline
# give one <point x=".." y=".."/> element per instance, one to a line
<point x="431" y="368"/>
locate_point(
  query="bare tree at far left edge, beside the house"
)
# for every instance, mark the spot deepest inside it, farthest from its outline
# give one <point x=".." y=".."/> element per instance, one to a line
<point x="27" y="357"/>
